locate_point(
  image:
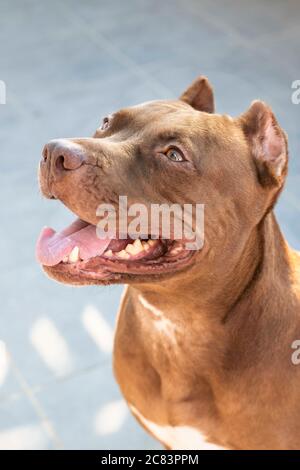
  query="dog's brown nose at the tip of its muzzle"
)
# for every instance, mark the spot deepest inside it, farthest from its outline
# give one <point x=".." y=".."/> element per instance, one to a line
<point x="63" y="155"/>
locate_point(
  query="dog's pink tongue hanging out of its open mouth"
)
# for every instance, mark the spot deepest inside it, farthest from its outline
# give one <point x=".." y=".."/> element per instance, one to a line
<point x="52" y="247"/>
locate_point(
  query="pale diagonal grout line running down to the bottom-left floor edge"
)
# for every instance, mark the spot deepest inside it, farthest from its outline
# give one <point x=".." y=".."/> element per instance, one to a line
<point x="41" y="413"/>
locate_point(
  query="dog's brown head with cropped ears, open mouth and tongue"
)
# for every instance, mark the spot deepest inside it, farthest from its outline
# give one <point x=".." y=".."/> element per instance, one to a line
<point x="160" y="153"/>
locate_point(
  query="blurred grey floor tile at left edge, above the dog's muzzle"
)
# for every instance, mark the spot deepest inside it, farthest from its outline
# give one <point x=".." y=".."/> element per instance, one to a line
<point x="39" y="83"/>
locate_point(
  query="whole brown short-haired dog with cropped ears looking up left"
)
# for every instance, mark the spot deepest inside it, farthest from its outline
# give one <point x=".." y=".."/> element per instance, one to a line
<point x="203" y="348"/>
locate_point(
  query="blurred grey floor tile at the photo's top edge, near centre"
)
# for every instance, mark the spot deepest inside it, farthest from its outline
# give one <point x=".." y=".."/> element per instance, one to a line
<point x="161" y="31"/>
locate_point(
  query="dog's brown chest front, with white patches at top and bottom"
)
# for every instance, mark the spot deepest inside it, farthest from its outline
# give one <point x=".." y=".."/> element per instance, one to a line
<point x="156" y="366"/>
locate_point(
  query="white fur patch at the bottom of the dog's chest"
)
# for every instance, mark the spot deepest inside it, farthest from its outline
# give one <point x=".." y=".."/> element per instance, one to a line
<point x="177" y="437"/>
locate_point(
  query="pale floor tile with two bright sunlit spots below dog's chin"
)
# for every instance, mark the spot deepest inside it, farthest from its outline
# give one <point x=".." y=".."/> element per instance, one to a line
<point x="49" y="329"/>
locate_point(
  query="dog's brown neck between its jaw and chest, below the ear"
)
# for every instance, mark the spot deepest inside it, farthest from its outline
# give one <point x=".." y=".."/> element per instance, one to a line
<point x="248" y="271"/>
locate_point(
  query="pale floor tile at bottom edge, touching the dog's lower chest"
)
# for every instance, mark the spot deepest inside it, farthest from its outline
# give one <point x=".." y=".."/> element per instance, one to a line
<point x="89" y="412"/>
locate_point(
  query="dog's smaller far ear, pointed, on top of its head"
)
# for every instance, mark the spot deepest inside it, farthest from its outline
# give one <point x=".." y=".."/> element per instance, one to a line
<point x="200" y="95"/>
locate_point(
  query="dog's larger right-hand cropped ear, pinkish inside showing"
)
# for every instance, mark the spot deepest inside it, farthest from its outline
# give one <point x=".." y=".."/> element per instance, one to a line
<point x="268" y="142"/>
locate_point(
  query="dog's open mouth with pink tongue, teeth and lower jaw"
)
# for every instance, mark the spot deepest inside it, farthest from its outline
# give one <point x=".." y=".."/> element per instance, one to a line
<point x="76" y="255"/>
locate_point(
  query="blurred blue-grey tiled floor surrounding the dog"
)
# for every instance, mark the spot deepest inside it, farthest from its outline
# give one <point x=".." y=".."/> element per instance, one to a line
<point x="66" y="65"/>
